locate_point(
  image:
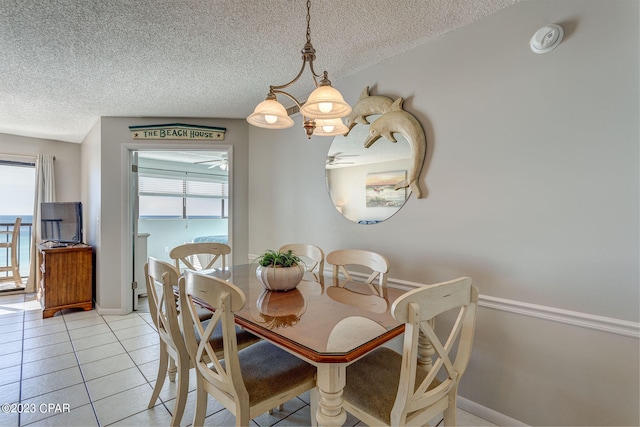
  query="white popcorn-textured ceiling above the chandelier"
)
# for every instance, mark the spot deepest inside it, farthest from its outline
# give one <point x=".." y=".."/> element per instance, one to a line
<point x="65" y="63"/>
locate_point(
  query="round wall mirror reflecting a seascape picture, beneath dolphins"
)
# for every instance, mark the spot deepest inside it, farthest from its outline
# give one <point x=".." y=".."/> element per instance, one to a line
<point x="361" y="181"/>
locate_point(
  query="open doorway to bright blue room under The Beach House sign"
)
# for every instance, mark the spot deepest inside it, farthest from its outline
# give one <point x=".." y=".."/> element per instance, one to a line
<point x="180" y="197"/>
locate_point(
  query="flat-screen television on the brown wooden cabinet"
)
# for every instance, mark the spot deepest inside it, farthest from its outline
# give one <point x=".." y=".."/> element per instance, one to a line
<point x="61" y="222"/>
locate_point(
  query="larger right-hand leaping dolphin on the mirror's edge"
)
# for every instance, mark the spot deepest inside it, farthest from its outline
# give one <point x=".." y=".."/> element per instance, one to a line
<point x="396" y="120"/>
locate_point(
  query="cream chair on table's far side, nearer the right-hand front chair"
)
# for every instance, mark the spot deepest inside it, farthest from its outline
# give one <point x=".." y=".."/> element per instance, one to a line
<point x="377" y="267"/>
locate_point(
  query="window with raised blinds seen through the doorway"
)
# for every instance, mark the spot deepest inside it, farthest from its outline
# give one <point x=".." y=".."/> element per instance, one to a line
<point x="181" y="195"/>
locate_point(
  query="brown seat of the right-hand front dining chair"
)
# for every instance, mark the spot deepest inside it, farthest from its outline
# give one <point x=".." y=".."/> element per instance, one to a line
<point x="372" y="382"/>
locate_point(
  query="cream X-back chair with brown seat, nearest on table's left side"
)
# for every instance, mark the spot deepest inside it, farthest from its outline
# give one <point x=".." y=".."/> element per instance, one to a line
<point x="248" y="382"/>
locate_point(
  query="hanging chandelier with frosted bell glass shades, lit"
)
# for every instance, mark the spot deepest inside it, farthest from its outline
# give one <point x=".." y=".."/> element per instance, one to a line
<point x="323" y="110"/>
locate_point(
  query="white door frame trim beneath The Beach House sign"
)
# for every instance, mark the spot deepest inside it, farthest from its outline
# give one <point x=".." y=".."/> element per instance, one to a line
<point x="127" y="237"/>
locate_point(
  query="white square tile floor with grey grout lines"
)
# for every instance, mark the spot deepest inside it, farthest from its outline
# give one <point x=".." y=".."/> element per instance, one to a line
<point x="82" y="369"/>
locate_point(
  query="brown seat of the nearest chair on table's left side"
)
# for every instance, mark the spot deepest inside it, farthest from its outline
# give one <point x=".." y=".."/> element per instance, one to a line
<point x="268" y="370"/>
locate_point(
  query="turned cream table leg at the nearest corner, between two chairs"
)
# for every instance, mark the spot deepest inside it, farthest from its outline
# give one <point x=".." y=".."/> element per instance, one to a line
<point x="331" y="382"/>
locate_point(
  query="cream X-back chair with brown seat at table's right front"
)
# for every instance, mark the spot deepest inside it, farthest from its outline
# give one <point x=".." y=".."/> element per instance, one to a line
<point x="392" y="389"/>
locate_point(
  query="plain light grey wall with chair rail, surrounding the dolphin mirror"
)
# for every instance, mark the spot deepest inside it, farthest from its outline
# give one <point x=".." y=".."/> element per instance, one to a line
<point x="532" y="185"/>
